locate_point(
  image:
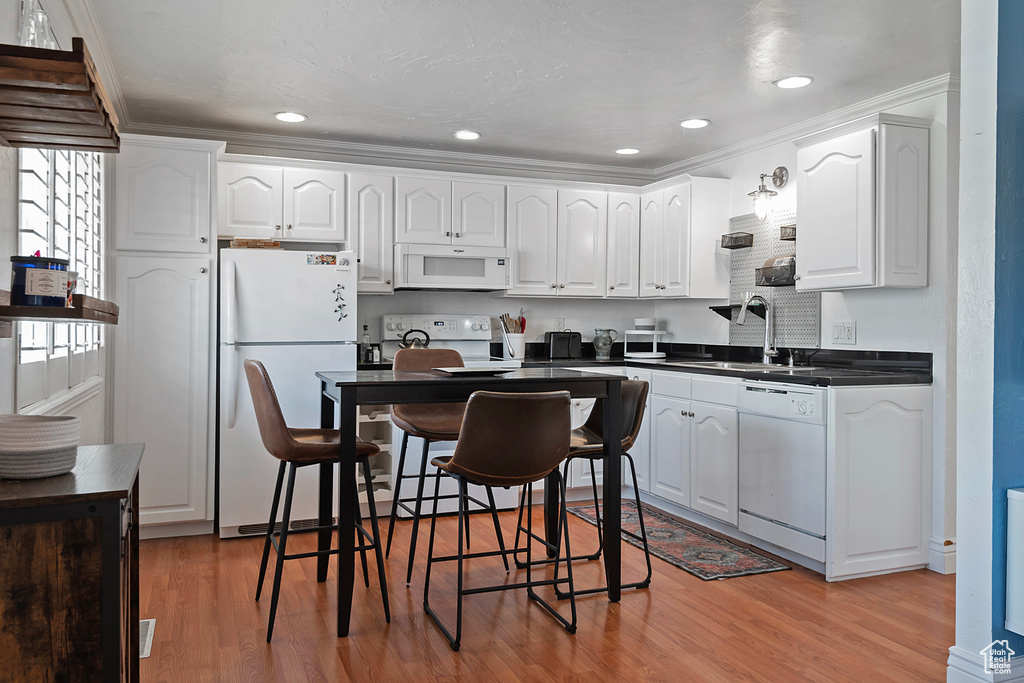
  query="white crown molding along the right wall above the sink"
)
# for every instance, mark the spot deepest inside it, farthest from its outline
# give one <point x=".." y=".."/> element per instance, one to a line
<point x="906" y="96"/>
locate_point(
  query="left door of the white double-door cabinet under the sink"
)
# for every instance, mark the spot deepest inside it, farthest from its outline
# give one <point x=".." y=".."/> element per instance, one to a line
<point x="670" y="466"/>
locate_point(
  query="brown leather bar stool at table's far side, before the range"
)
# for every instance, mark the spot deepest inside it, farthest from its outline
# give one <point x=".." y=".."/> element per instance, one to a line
<point x="432" y="422"/>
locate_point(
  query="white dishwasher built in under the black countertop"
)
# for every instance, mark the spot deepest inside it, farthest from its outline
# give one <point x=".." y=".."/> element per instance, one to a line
<point x="783" y="445"/>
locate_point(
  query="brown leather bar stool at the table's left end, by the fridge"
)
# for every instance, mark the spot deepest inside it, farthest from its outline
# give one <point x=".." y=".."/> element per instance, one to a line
<point x="301" y="448"/>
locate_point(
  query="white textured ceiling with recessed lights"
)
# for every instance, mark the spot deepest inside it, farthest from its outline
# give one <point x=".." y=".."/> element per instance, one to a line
<point x="566" y="81"/>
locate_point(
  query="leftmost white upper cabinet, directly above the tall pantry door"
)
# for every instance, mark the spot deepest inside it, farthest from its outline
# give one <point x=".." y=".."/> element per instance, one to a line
<point x="162" y="194"/>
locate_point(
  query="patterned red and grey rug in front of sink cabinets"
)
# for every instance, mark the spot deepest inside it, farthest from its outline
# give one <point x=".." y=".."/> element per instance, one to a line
<point x="702" y="554"/>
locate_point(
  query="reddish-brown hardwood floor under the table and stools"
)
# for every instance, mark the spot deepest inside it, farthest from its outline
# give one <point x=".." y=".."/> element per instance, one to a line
<point x="787" y="626"/>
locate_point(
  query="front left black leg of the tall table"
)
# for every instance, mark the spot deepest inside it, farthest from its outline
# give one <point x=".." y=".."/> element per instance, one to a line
<point x="347" y="508"/>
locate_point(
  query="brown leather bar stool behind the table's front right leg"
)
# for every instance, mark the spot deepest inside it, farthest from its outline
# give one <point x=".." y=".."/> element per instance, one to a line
<point x="587" y="443"/>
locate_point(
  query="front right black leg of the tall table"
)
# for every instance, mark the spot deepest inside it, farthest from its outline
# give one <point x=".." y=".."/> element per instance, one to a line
<point x="613" y="488"/>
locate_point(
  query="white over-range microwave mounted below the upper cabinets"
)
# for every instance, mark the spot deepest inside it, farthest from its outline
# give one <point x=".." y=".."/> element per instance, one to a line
<point x="443" y="267"/>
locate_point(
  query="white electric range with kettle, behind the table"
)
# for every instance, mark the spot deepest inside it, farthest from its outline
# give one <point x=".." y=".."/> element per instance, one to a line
<point x="471" y="335"/>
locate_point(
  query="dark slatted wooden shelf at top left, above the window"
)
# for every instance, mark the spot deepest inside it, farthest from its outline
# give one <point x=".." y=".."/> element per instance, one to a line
<point x="55" y="100"/>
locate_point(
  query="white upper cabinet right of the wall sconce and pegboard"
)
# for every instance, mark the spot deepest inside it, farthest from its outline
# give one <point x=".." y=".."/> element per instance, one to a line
<point x="863" y="193"/>
